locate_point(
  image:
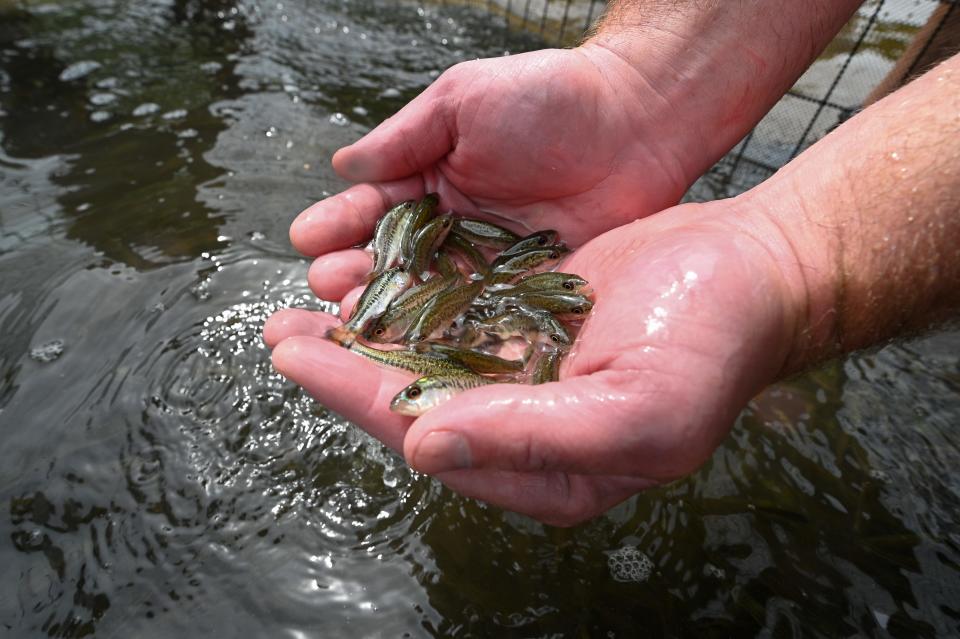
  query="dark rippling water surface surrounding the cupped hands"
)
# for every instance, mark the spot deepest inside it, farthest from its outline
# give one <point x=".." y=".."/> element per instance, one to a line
<point x="158" y="479"/>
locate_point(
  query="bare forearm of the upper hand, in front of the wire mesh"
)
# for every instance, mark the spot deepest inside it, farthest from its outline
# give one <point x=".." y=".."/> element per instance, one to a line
<point x="720" y="66"/>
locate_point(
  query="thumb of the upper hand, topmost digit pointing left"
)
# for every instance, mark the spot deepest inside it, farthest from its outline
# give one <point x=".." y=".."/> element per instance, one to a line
<point x="412" y="140"/>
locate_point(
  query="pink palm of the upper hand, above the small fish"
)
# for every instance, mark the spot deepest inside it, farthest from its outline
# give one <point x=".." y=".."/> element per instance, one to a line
<point x="542" y="139"/>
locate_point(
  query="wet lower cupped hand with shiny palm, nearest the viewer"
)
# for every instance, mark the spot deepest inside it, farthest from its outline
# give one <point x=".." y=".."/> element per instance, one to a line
<point x="692" y="317"/>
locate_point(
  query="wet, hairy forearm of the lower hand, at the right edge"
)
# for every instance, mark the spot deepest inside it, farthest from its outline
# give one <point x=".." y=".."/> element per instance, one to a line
<point x="868" y="221"/>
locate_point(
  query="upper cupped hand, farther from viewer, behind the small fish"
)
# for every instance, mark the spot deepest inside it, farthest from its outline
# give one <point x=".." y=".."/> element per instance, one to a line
<point x="575" y="140"/>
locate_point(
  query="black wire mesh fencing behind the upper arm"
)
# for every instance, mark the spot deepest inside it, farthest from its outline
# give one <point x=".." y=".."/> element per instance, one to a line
<point x="833" y="89"/>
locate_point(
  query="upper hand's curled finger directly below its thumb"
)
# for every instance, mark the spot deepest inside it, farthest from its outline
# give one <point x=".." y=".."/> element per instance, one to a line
<point x="347" y="219"/>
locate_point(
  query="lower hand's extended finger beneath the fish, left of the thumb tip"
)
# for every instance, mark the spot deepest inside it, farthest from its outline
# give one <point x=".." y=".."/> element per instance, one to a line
<point x="346" y="383"/>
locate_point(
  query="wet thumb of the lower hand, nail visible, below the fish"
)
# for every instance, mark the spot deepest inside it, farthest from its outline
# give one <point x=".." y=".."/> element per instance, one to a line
<point x="606" y="423"/>
